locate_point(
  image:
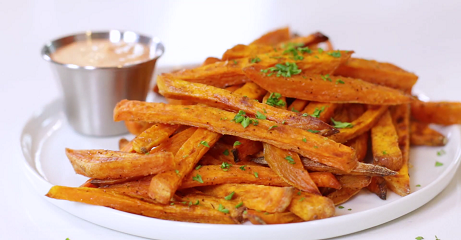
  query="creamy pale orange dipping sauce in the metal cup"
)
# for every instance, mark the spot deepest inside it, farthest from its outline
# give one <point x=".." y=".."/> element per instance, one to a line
<point x="101" y="53"/>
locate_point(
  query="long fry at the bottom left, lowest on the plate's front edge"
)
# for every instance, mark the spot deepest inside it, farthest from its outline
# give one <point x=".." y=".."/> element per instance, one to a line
<point x="102" y="197"/>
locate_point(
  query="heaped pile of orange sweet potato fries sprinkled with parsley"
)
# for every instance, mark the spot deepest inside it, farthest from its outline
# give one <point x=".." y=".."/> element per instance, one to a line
<point x="274" y="132"/>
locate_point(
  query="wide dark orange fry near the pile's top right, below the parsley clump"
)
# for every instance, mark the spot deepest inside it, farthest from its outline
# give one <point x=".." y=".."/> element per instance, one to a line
<point x="325" y="88"/>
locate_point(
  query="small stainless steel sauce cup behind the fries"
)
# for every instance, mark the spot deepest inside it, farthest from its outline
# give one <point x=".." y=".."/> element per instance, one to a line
<point x="91" y="93"/>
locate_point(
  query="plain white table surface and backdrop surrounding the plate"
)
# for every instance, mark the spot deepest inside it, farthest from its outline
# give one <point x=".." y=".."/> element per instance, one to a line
<point x="420" y="36"/>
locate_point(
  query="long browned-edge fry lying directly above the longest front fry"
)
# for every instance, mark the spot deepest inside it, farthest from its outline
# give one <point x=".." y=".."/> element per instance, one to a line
<point x="175" y="88"/>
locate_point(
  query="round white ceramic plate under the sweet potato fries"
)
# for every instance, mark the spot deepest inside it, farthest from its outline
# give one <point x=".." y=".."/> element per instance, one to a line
<point x="47" y="133"/>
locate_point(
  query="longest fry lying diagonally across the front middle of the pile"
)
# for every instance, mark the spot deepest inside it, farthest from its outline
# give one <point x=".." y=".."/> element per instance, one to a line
<point x="316" y="147"/>
